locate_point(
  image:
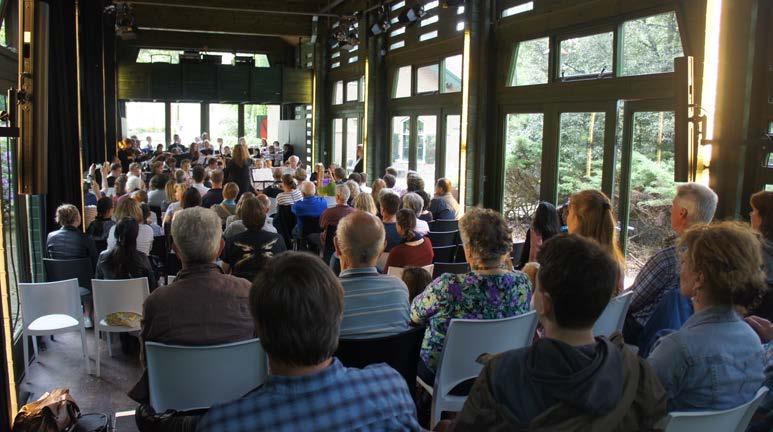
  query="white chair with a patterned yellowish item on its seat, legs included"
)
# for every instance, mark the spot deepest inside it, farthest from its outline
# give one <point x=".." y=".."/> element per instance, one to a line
<point x="120" y="295"/>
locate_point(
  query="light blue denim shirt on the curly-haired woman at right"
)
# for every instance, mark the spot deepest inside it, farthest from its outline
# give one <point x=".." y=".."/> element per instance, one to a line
<point x="714" y="362"/>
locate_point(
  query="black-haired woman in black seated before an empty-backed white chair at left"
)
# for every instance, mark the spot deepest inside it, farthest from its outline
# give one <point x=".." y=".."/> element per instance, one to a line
<point x="124" y="261"/>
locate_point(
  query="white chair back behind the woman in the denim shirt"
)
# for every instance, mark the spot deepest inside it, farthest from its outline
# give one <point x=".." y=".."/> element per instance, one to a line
<point x="735" y="419"/>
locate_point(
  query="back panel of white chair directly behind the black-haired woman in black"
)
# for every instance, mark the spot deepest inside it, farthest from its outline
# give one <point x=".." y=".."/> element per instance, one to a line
<point x="118" y="295"/>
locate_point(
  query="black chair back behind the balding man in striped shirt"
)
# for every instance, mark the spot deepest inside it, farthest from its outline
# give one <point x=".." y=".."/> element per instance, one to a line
<point x="400" y="351"/>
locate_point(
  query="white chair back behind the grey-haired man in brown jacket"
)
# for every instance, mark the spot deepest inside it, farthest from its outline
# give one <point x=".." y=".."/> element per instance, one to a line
<point x="193" y="377"/>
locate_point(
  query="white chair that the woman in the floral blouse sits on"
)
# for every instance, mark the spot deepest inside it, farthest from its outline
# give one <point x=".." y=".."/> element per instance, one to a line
<point x="465" y="341"/>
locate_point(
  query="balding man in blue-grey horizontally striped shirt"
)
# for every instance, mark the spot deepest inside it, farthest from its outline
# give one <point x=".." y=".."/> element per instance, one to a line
<point x="375" y="305"/>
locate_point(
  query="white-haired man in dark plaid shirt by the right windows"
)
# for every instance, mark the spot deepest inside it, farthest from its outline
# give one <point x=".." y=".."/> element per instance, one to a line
<point x="694" y="204"/>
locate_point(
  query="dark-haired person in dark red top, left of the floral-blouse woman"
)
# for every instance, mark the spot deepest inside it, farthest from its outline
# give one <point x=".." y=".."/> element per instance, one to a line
<point x="414" y="250"/>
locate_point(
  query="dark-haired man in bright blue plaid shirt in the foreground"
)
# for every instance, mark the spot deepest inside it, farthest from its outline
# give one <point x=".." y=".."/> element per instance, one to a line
<point x="297" y="303"/>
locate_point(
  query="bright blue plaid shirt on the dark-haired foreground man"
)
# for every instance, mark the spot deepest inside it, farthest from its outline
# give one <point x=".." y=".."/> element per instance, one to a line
<point x="336" y="399"/>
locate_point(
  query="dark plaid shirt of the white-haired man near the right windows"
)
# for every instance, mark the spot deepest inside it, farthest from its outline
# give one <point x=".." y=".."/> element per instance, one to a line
<point x="658" y="276"/>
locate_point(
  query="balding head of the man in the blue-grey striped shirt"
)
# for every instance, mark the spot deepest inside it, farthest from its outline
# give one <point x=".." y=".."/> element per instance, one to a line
<point x="360" y="239"/>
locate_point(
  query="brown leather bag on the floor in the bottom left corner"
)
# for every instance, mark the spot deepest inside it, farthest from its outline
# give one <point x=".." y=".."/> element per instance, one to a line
<point x="55" y="411"/>
